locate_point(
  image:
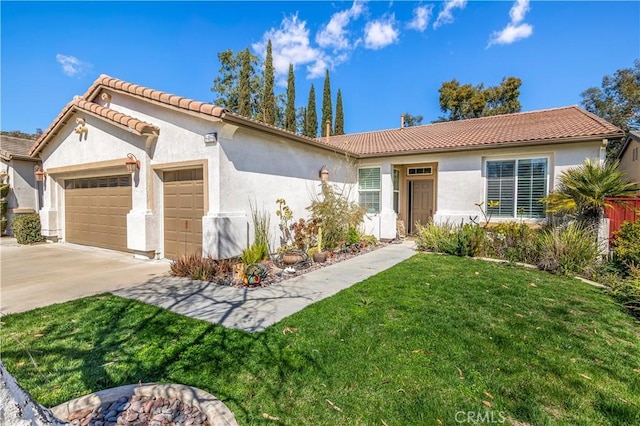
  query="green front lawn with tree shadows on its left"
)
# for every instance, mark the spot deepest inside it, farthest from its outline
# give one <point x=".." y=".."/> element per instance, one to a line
<point x="413" y="345"/>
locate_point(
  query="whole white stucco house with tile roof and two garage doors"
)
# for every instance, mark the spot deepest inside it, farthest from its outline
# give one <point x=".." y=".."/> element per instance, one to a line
<point x="197" y="167"/>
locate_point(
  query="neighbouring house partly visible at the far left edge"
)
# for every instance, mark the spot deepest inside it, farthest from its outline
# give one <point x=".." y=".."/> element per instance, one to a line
<point x="17" y="169"/>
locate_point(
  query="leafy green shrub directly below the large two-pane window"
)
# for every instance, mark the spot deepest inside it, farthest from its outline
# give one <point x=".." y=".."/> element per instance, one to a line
<point x="513" y="241"/>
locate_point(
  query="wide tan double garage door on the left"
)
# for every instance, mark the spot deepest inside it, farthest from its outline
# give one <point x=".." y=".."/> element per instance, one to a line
<point x="96" y="211"/>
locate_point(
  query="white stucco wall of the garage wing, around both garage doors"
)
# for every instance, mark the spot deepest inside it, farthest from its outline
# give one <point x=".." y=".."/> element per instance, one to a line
<point x="243" y="167"/>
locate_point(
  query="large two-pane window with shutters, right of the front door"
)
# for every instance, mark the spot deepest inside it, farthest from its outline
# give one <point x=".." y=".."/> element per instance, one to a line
<point x="517" y="185"/>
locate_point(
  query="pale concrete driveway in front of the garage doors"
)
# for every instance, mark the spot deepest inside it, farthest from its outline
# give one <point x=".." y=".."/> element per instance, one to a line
<point x="44" y="274"/>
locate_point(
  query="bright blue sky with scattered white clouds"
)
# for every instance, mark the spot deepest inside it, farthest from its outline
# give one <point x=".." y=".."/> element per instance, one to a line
<point x="386" y="57"/>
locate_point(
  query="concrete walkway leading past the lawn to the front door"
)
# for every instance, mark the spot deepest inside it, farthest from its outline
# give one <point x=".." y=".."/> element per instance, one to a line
<point x="256" y="309"/>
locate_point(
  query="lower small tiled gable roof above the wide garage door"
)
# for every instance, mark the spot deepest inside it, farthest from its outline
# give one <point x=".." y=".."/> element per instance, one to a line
<point x="131" y="123"/>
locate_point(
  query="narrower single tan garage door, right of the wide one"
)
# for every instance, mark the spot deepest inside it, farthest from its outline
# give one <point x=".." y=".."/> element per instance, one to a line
<point x="183" y="211"/>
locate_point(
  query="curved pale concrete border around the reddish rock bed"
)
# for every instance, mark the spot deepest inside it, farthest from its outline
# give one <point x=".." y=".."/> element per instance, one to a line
<point x="216" y="411"/>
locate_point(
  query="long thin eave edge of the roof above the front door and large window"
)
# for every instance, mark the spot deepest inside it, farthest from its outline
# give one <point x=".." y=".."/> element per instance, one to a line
<point x="577" y="139"/>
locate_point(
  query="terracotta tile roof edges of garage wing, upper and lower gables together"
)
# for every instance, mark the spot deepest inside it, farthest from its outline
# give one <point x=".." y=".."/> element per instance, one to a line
<point x="155" y="96"/>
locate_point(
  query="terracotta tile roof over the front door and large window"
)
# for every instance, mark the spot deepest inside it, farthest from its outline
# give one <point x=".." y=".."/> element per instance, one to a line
<point x="550" y="125"/>
